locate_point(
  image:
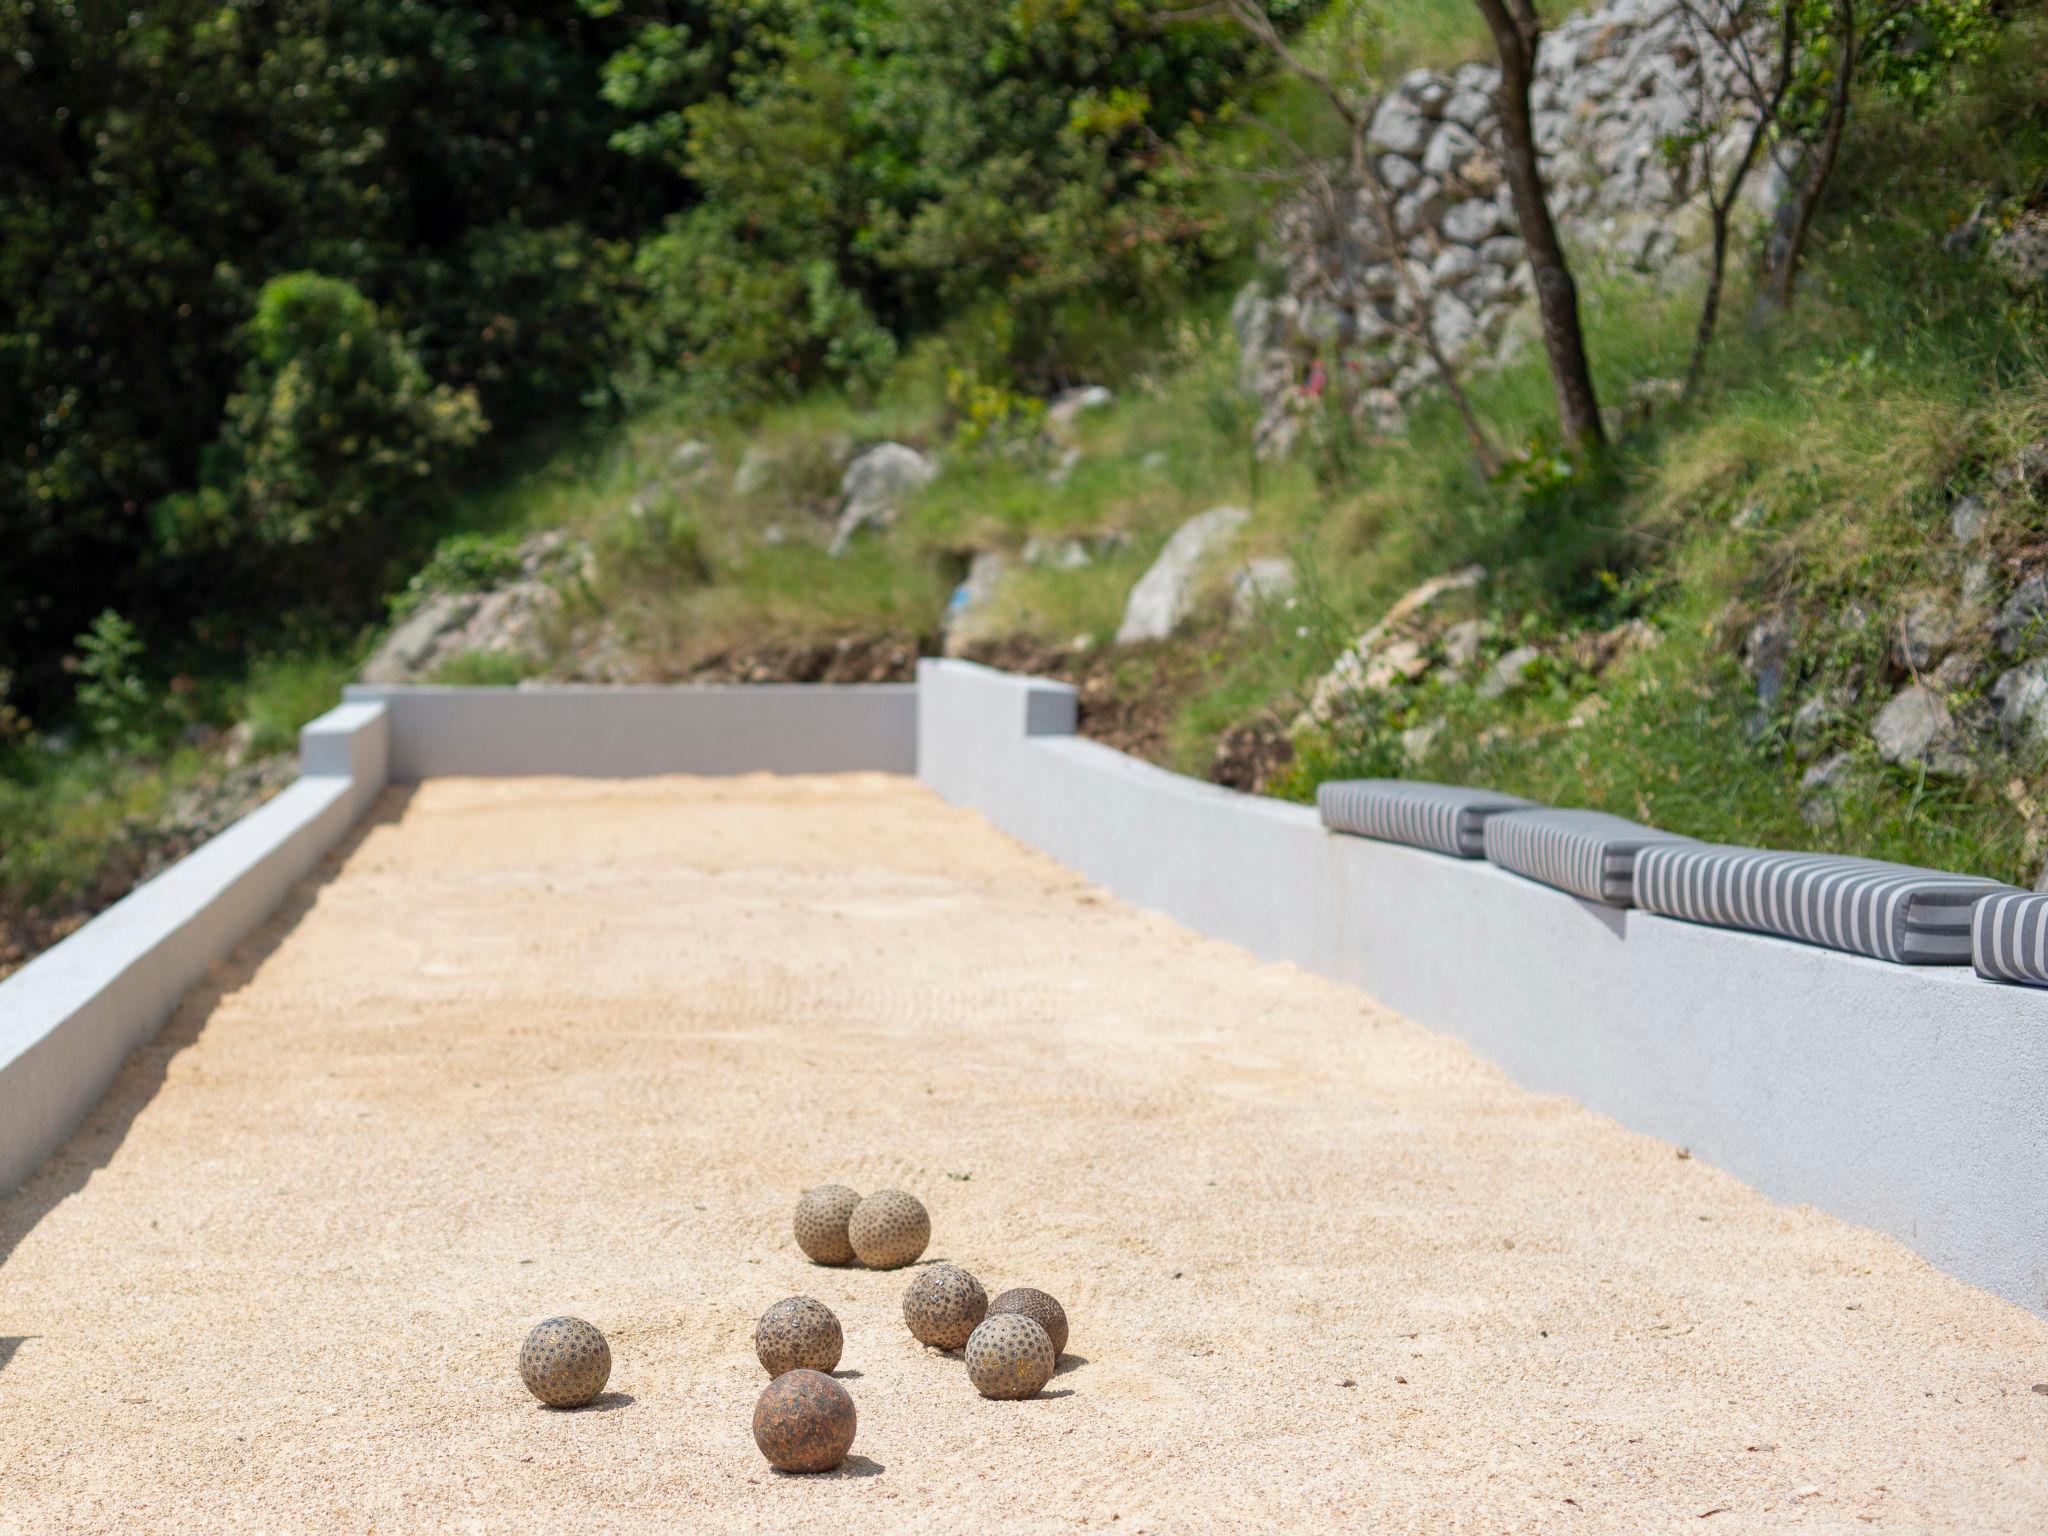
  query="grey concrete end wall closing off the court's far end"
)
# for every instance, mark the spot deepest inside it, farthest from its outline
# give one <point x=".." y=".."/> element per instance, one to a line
<point x="626" y="732"/>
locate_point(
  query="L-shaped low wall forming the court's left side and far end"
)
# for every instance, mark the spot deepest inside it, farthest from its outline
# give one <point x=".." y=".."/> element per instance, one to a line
<point x="71" y="1017"/>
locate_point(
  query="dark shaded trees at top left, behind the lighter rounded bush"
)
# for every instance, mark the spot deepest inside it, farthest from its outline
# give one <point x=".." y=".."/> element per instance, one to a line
<point x="163" y="163"/>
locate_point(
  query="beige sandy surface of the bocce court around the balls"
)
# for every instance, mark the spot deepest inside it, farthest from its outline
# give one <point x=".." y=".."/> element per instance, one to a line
<point x="544" y="1046"/>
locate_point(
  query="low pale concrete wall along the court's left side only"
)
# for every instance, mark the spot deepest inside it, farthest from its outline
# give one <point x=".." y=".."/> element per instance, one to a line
<point x="73" y="1015"/>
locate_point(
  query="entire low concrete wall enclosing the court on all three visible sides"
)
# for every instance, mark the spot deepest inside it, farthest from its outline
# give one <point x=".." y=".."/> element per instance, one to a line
<point x="1893" y="1097"/>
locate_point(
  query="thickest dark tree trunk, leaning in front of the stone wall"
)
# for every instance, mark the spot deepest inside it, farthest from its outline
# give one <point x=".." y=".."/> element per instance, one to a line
<point x="1558" y="296"/>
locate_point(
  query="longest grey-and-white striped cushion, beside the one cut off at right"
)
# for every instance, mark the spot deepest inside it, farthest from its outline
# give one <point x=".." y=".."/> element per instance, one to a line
<point x="1889" y="912"/>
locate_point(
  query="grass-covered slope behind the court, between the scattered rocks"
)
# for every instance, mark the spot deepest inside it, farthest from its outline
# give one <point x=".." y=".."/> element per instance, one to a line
<point x="1840" y="437"/>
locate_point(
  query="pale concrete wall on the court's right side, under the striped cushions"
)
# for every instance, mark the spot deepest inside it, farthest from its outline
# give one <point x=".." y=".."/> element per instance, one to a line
<point x="1904" y="1099"/>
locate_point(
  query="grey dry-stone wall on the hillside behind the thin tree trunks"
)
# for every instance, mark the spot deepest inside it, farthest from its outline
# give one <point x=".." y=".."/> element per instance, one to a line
<point x="1613" y="89"/>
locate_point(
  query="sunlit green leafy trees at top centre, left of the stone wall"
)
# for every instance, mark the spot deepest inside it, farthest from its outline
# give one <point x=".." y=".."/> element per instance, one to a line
<point x="876" y="167"/>
